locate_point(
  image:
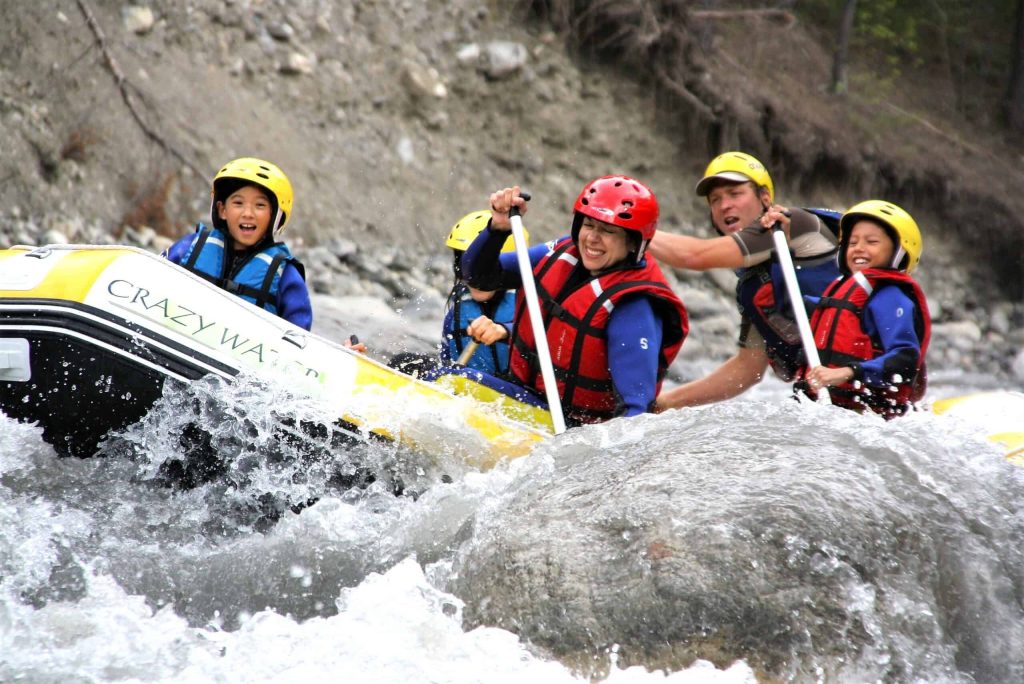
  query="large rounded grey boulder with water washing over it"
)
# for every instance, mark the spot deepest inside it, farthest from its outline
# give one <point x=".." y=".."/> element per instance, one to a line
<point x="674" y="539"/>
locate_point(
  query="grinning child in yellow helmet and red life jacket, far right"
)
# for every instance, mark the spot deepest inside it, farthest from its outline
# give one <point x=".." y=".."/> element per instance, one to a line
<point x="873" y="326"/>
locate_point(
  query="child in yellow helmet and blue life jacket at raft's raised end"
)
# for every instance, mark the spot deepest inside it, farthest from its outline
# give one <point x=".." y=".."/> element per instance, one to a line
<point x="251" y="205"/>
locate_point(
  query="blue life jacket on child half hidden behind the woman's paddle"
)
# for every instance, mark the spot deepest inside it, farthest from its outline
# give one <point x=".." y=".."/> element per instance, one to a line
<point x="463" y="310"/>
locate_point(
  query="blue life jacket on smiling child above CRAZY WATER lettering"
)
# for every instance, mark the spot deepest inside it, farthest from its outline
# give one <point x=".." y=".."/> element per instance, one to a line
<point x="253" y="276"/>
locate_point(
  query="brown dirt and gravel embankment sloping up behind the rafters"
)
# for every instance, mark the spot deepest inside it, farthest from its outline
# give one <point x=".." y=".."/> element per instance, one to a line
<point x="396" y="118"/>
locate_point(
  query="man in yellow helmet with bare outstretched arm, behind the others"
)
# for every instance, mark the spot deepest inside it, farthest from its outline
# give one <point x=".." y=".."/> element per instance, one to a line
<point x="742" y="201"/>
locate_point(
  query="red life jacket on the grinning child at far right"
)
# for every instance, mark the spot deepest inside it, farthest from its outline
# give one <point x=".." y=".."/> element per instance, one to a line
<point x="841" y="340"/>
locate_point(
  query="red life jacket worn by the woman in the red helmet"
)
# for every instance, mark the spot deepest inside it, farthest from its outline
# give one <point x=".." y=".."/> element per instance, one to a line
<point x="577" y="322"/>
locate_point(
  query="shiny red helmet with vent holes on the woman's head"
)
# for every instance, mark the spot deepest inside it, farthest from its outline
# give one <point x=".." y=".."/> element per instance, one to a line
<point x="620" y="201"/>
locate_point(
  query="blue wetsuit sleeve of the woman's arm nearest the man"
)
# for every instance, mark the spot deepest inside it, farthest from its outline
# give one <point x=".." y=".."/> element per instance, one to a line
<point x="634" y="347"/>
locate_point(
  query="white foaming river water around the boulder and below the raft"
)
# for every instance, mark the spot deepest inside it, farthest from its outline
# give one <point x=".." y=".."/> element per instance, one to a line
<point x="108" y="577"/>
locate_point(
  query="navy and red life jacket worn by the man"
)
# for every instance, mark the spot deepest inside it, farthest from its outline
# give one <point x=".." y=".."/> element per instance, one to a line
<point x="763" y="298"/>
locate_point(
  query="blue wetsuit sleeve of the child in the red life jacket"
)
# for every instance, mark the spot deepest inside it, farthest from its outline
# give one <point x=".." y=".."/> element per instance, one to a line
<point x="889" y="319"/>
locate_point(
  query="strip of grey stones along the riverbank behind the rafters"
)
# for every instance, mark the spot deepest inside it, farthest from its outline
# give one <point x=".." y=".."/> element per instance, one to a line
<point x="394" y="300"/>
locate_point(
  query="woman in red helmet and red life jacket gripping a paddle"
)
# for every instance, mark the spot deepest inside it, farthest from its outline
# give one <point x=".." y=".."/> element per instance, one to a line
<point x="613" y="323"/>
